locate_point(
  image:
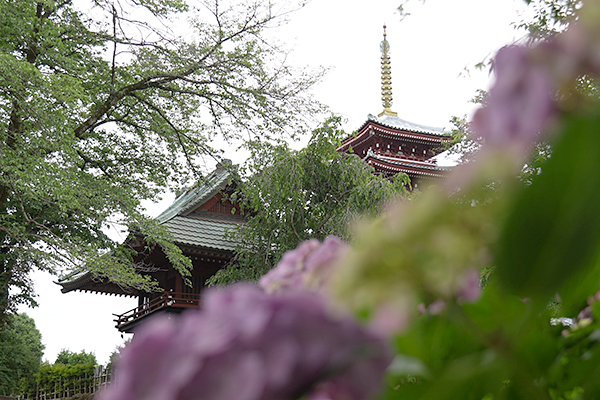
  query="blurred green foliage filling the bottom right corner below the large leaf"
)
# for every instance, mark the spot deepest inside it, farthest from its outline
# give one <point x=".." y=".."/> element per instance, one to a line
<point x="498" y="348"/>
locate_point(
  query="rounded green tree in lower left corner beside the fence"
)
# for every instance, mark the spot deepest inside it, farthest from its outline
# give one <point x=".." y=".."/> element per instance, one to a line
<point x="21" y="351"/>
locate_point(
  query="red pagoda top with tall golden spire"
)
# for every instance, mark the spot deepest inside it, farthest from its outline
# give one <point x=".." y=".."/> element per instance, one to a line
<point x="390" y="144"/>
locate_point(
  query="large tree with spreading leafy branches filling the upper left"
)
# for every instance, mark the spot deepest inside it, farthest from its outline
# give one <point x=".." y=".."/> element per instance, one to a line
<point x="100" y="110"/>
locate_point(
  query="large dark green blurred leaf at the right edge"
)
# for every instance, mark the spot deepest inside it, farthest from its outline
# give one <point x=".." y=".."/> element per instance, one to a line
<point x="550" y="240"/>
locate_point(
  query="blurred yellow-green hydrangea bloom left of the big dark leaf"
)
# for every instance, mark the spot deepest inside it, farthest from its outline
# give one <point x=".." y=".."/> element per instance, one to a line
<point x="420" y="252"/>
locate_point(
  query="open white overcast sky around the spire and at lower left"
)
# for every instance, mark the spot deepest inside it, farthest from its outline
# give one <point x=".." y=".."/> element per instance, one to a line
<point x="431" y="50"/>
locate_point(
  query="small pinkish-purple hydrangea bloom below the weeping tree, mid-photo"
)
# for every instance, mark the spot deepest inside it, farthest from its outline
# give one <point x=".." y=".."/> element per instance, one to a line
<point x="309" y="266"/>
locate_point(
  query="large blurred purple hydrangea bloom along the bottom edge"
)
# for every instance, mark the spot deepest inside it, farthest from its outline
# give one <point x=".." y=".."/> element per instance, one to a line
<point x="248" y="345"/>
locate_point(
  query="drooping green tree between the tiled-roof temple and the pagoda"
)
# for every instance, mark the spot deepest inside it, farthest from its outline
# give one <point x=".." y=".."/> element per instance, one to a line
<point x="291" y="196"/>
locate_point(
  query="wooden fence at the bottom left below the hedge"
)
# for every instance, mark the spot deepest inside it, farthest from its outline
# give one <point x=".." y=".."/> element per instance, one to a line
<point x="84" y="386"/>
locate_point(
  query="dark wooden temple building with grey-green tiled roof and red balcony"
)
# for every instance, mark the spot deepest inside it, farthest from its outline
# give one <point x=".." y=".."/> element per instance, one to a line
<point x="198" y="220"/>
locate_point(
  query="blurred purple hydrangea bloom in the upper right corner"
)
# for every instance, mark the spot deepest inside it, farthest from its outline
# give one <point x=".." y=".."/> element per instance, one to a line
<point x="533" y="83"/>
